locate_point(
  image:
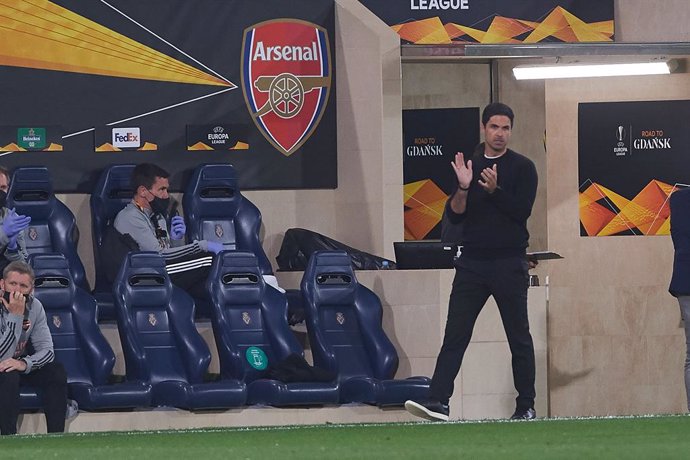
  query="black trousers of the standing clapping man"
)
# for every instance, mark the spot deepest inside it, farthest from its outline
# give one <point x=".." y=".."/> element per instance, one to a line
<point x="475" y="280"/>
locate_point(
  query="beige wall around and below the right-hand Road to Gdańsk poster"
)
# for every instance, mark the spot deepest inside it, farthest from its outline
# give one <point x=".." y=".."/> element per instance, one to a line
<point x="614" y="336"/>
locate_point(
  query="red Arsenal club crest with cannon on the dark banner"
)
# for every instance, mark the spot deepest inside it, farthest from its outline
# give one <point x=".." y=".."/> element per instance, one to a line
<point x="286" y="79"/>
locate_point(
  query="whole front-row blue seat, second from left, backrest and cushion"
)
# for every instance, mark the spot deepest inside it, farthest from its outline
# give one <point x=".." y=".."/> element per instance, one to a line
<point x="160" y="342"/>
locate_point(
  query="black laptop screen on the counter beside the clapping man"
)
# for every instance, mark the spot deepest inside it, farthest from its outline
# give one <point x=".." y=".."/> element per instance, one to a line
<point x="424" y="254"/>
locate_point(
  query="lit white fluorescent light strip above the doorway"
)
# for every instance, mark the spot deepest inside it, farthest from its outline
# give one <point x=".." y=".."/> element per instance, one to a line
<point x="590" y="70"/>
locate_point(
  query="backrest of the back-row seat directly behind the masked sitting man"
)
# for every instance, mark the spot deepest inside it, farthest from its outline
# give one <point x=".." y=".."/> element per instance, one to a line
<point x="112" y="193"/>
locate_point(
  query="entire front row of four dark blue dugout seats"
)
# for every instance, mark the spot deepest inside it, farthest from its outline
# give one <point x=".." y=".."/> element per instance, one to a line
<point x="166" y="358"/>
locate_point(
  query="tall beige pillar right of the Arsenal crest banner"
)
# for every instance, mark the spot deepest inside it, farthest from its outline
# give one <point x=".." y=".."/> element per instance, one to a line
<point x="369" y="132"/>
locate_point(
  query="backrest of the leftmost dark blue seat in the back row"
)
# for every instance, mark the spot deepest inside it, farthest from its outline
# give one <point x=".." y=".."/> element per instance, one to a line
<point x="53" y="227"/>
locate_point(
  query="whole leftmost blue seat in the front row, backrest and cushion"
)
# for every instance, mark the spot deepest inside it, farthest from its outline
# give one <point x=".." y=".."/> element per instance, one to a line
<point x="78" y="342"/>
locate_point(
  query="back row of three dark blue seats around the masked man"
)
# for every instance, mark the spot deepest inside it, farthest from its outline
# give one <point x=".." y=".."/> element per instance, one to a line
<point x="215" y="210"/>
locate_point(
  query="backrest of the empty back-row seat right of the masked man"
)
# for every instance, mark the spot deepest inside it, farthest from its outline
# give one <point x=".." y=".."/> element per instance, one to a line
<point x="215" y="210"/>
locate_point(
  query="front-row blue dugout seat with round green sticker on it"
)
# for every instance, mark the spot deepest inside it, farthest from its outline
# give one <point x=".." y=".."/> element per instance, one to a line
<point x="252" y="333"/>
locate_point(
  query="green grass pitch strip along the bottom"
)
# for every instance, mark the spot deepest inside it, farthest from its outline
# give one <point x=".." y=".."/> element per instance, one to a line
<point x="632" y="437"/>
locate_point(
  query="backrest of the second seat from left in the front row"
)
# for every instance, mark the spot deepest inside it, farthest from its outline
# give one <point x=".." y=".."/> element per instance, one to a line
<point x="156" y="324"/>
